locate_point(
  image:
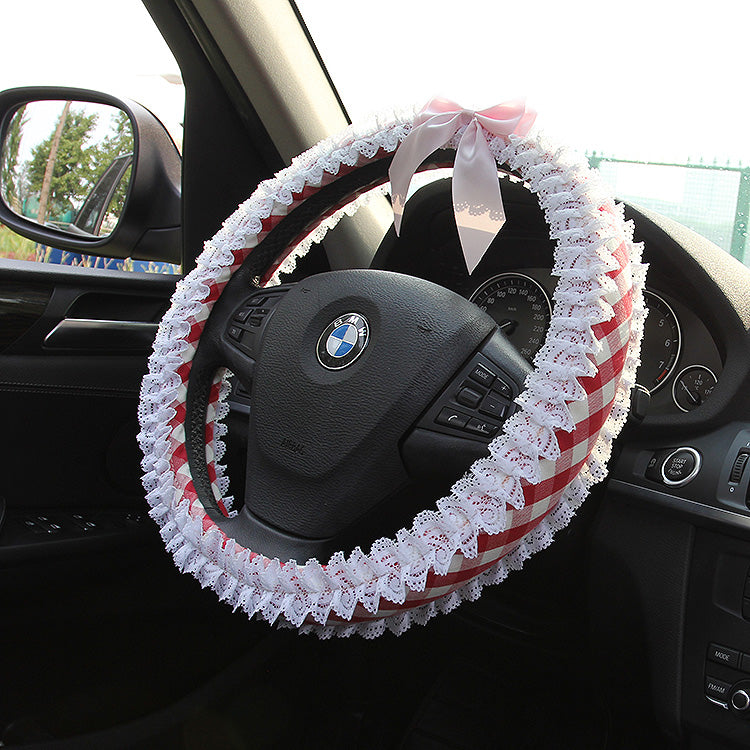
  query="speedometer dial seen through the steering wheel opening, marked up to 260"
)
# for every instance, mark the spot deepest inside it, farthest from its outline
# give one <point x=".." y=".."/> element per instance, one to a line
<point x="520" y="307"/>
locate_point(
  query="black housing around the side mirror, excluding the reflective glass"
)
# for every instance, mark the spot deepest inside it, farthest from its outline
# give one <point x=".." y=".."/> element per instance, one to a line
<point x="150" y="223"/>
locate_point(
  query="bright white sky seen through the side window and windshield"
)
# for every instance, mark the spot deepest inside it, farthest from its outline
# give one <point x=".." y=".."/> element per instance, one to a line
<point x="656" y="79"/>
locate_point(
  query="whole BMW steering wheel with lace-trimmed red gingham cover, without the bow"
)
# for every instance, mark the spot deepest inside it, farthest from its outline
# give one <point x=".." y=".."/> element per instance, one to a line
<point x="371" y="391"/>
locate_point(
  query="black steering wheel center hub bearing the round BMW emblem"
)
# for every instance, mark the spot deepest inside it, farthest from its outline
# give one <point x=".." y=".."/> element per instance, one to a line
<point x="332" y="431"/>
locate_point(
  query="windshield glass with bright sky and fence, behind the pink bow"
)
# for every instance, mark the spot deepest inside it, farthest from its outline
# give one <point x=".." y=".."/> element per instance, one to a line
<point x="652" y="92"/>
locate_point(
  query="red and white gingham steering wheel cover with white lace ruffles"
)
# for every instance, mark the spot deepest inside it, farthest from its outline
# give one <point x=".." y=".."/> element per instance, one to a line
<point x="509" y="505"/>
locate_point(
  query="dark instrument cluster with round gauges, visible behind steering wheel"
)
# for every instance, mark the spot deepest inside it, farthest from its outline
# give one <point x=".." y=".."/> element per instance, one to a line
<point x="681" y="361"/>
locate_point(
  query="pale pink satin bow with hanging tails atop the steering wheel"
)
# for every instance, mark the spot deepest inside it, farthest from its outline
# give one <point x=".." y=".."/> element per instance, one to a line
<point x="477" y="203"/>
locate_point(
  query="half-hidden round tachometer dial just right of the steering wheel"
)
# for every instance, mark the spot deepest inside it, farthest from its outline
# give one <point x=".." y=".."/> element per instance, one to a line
<point x="662" y="340"/>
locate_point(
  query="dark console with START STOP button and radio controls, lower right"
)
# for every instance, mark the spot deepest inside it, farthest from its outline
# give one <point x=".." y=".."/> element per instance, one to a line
<point x="678" y="583"/>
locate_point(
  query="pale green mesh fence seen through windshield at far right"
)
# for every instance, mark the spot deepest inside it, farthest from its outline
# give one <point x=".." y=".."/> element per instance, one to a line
<point x="713" y="200"/>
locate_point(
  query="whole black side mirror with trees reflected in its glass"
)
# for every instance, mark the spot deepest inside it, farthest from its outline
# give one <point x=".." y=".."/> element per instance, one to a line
<point x="89" y="173"/>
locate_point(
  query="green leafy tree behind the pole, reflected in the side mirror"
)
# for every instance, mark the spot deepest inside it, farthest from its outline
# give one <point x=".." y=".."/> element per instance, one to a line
<point x="71" y="172"/>
